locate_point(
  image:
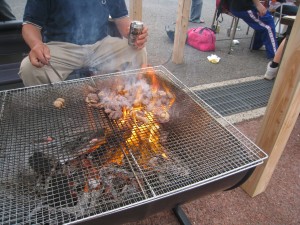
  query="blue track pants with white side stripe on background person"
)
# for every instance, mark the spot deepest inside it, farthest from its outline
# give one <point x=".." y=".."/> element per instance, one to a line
<point x="265" y="29"/>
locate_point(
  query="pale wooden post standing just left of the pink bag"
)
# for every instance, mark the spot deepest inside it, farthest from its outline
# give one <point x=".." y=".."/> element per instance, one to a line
<point x="181" y="30"/>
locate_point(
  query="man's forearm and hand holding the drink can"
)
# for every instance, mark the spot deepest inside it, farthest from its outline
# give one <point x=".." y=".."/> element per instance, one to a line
<point x="123" y="25"/>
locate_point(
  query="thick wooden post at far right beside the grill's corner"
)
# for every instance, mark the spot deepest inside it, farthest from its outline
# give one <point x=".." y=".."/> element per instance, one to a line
<point x="282" y="112"/>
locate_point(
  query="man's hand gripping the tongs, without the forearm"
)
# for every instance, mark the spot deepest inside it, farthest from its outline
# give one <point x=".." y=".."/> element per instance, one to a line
<point x="39" y="55"/>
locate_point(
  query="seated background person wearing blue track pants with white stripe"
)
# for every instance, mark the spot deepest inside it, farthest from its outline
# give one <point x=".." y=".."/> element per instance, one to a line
<point x="257" y="17"/>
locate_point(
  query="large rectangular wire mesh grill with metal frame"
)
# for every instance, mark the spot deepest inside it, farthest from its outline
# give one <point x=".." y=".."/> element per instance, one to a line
<point x="209" y="174"/>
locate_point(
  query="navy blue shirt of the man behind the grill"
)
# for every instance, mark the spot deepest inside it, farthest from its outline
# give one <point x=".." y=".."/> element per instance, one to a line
<point x="74" y="21"/>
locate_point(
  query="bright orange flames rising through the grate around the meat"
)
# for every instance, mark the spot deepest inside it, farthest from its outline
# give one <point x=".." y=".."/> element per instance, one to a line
<point x="144" y="137"/>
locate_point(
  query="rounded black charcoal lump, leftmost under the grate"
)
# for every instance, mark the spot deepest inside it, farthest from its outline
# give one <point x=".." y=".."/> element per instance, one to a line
<point x="41" y="164"/>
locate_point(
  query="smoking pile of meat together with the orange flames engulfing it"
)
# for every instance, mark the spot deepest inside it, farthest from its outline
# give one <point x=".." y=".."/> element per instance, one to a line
<point x="140" y="105"/>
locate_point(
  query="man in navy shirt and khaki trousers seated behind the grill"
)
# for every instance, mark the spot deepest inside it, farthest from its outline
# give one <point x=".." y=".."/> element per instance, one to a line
<point x="72" y="34"/>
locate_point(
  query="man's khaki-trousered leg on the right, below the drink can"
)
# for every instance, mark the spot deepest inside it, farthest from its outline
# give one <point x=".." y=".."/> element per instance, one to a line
<point x="114" y="54"/>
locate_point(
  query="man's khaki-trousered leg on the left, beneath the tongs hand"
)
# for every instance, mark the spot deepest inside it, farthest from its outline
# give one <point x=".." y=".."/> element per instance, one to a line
<point x="65" y="58"/>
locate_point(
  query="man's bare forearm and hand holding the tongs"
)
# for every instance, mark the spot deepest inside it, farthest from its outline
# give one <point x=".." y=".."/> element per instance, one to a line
<point x="39" y="54"/>
